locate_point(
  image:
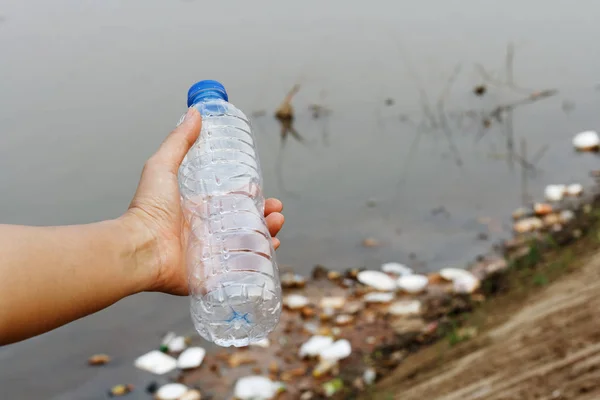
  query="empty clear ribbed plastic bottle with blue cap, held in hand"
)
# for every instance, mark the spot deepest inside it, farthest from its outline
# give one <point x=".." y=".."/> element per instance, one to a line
<point x="233" y="277"/>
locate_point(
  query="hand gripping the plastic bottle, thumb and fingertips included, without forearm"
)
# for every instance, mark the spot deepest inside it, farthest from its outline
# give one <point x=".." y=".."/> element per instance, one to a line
<point x="155" y="213"/>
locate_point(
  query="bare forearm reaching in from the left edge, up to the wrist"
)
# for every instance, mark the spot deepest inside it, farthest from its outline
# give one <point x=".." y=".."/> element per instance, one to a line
<point x="50" y="276"/>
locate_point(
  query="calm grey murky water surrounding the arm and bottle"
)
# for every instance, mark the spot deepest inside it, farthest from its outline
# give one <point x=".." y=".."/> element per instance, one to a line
<point x="89" y="89"/>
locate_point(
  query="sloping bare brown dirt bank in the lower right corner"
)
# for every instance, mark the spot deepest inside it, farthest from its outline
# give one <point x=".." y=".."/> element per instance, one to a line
<point x="538" y="341"/>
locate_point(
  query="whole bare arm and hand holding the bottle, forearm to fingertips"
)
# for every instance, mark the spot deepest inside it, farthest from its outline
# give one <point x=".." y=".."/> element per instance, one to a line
<point x="50" y="276"/>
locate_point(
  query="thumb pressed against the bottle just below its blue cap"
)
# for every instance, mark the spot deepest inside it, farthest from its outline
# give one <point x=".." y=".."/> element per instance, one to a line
<point x="172" y="151"/>
